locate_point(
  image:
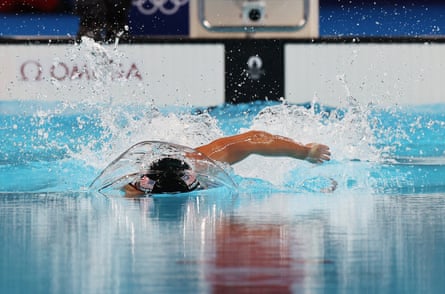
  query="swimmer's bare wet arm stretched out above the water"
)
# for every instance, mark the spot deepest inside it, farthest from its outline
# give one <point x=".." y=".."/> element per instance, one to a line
<point x="235" y="148"/>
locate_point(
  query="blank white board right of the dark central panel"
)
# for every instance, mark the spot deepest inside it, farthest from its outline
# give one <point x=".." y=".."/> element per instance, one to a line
<point x="384" y="74"/>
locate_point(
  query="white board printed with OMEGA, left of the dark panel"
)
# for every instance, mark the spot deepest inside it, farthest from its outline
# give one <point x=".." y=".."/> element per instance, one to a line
<point x="166" y="74"/>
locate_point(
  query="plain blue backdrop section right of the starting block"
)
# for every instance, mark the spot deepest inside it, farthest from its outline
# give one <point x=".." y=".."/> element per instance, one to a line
<point x="382" y="18"/>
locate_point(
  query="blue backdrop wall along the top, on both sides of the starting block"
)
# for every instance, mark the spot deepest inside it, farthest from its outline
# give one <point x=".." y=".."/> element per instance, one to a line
<point x="336" y="18"/>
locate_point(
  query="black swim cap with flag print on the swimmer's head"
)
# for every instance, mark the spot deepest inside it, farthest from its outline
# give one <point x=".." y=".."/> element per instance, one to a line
<point x="168" y="175"/>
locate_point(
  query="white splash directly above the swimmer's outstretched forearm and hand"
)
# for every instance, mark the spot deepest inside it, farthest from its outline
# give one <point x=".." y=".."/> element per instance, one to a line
<point x="348" y="133"/>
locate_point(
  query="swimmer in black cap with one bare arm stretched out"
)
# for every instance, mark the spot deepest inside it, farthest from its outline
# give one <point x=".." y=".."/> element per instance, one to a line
<point x="170" y="175"/>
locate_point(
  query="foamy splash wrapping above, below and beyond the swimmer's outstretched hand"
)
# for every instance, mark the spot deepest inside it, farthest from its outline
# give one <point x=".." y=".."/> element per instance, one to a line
<point x="356" y="135"/>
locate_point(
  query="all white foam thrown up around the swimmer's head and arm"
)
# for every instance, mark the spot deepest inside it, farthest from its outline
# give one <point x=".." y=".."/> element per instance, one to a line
<point x="349" y="133"/>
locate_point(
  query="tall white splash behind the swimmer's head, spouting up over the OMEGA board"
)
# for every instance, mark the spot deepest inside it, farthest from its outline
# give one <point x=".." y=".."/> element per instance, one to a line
<point x="123" y="124"/>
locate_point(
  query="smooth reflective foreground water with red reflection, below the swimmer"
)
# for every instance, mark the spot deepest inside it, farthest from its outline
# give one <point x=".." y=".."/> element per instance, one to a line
<point x="279" y="243"/>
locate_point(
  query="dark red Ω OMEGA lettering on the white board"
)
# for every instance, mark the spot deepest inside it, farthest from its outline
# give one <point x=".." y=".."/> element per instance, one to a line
<point x="33" y="70"/>
